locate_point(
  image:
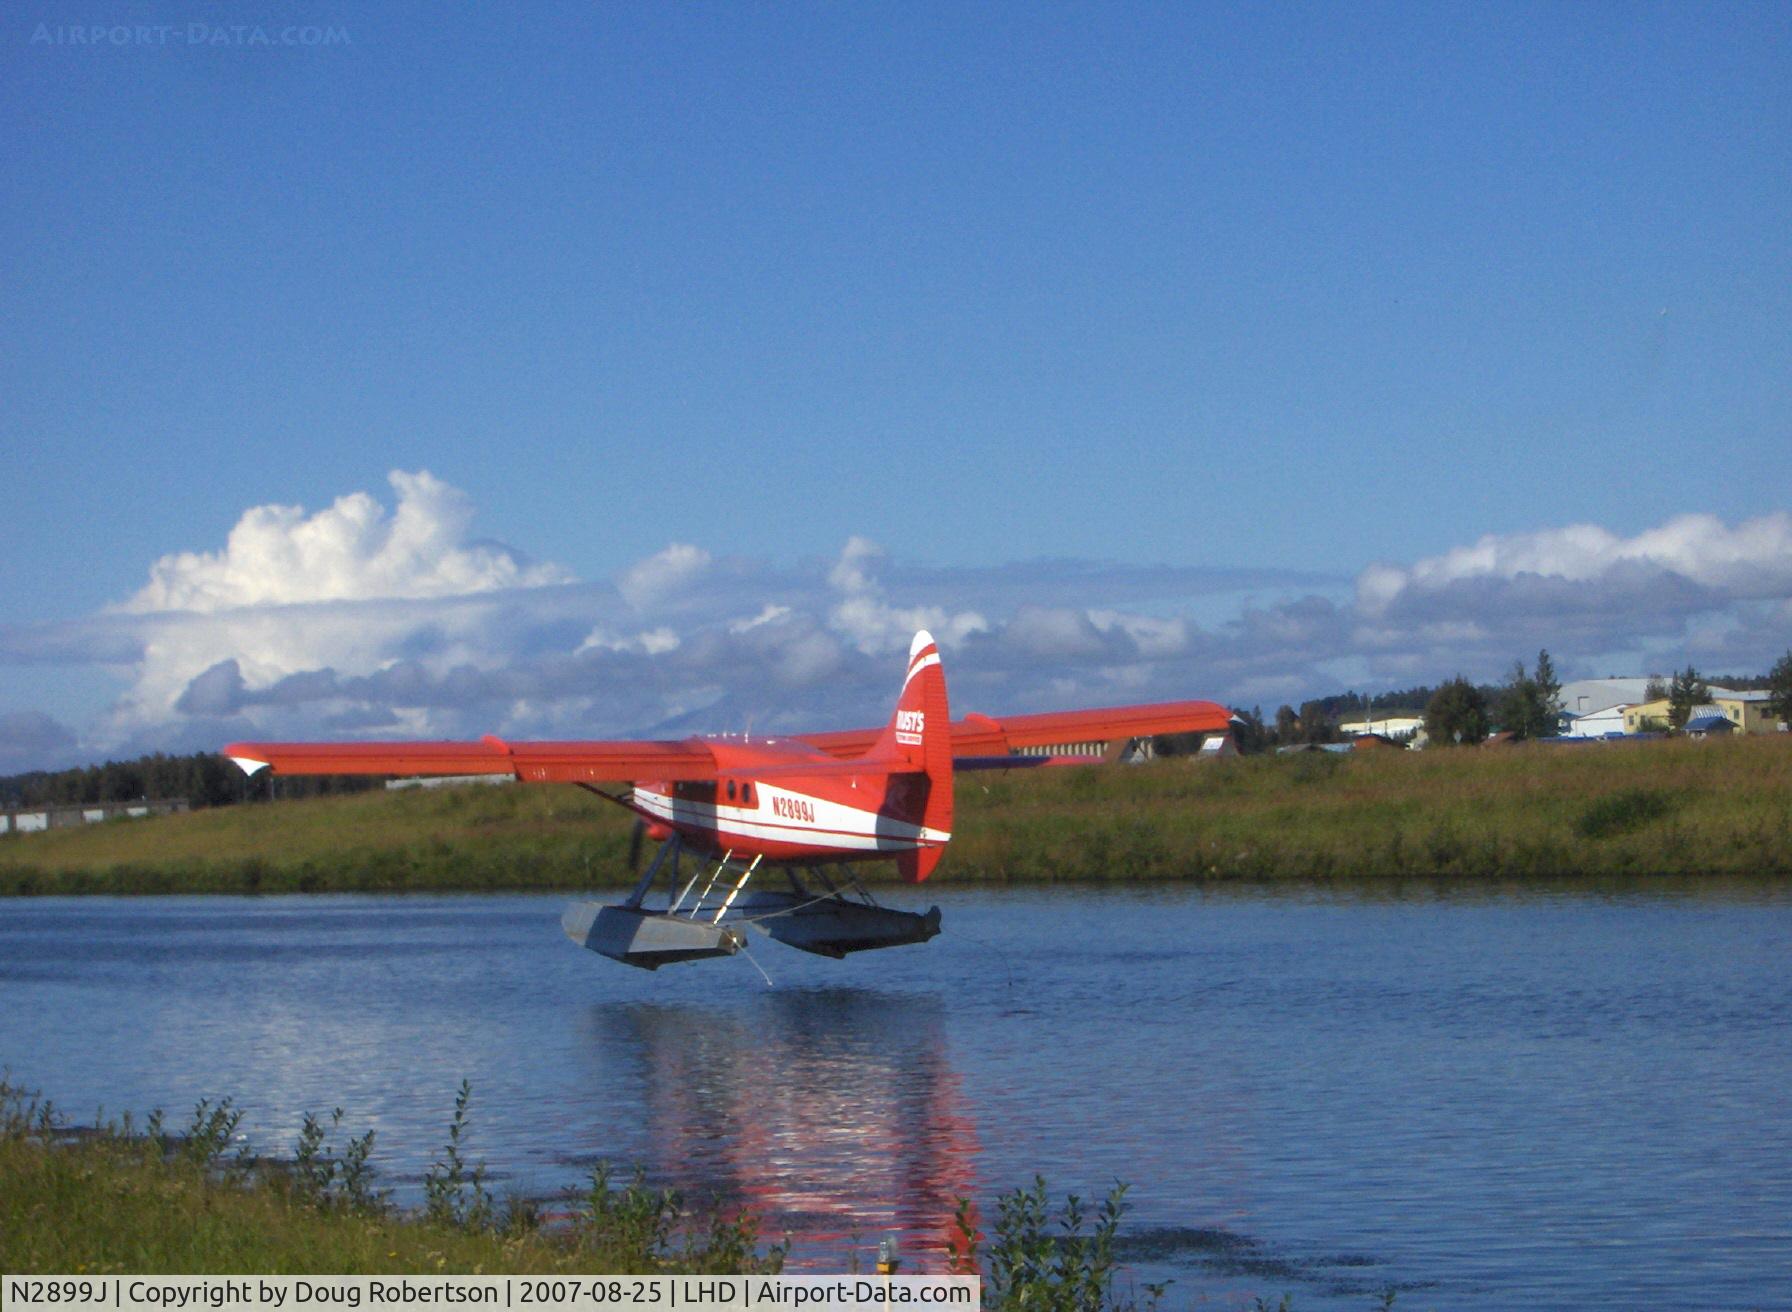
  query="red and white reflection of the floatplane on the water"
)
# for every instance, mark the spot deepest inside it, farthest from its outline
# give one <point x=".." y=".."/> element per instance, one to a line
<point x="831" y="1114"/>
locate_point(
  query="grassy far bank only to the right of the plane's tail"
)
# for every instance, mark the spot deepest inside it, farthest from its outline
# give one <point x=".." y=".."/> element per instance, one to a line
<point x="1483" y="815"/>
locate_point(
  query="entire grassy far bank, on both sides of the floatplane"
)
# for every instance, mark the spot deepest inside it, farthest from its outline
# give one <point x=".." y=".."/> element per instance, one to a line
<point x="1673" y="807"/>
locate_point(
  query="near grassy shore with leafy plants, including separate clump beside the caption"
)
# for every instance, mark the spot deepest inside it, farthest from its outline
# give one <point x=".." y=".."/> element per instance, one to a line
<point x="121" y="1200"/>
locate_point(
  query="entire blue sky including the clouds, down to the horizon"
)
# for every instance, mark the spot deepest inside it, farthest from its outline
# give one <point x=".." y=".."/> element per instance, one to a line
<point x="1193" y="350"/>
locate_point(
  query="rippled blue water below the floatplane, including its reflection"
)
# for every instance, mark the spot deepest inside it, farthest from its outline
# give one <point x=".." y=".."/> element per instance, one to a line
<point x="1512" y="1100"/>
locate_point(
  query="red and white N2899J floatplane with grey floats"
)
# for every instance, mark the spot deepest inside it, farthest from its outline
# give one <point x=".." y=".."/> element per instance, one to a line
<point x="806" y="802"/>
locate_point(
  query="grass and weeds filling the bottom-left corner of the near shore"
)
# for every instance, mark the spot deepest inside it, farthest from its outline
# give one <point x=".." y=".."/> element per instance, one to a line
<point x="132" y="1200"/>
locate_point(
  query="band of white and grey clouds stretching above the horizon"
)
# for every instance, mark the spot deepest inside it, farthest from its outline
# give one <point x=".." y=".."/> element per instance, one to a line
<point x="359" y="621"/>
